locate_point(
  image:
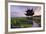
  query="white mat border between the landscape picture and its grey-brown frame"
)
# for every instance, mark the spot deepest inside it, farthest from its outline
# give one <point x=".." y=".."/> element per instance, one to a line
<point x="24" y="29"/>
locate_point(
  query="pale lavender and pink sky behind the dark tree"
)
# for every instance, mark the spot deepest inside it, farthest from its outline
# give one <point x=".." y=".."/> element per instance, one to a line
<point x="19" y="11"/>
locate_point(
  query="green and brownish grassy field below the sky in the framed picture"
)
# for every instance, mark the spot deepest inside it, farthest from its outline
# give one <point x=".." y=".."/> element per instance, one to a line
<point x="19" y="21"/>
